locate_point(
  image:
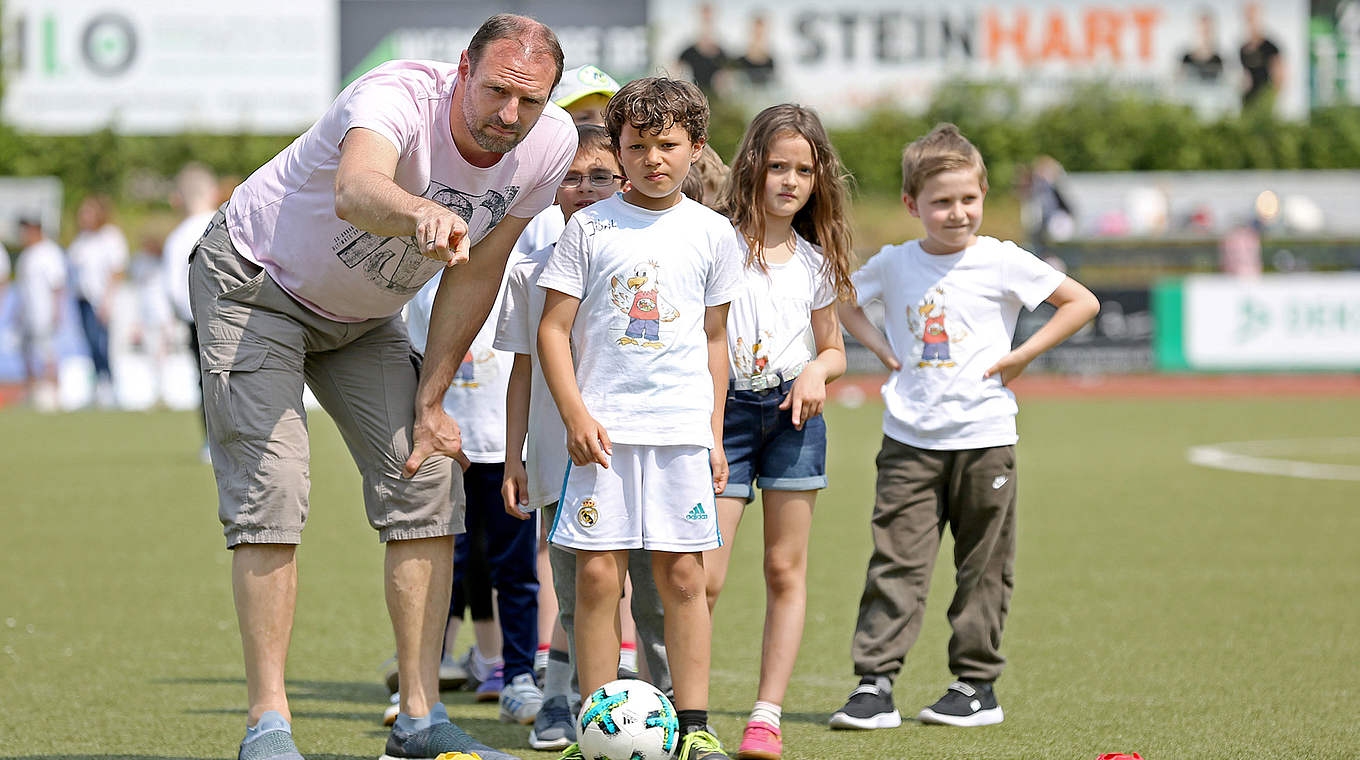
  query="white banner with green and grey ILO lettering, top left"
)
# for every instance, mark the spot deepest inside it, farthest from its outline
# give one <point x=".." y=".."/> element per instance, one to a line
<point x="153" y="67"/>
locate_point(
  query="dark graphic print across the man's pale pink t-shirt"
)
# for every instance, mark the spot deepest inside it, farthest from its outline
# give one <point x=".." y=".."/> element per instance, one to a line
<point x="395" y="263"/>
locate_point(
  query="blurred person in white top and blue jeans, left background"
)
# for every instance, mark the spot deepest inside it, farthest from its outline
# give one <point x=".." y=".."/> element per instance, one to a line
<point x="99" y="259"/>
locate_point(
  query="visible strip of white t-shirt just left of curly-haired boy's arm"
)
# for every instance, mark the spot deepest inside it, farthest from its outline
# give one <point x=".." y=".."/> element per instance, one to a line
<point x="517" y="332"/>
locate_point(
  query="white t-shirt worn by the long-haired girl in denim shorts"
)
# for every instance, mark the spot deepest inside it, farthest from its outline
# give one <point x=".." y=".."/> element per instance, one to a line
<point x="770" y="323"/>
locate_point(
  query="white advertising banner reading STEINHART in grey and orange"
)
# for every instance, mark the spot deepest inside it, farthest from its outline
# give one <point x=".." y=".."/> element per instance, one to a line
<point x="844" y="58"/>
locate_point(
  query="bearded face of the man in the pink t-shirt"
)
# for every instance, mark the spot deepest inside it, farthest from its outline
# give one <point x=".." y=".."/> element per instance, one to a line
<point x="505" y="94"/>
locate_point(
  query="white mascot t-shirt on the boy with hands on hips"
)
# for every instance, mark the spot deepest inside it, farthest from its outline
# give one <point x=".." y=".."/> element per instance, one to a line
<point x="950" y="319"/>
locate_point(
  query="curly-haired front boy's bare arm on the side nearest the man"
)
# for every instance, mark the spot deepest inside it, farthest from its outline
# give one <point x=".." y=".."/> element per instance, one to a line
<point x="587" y="440"/>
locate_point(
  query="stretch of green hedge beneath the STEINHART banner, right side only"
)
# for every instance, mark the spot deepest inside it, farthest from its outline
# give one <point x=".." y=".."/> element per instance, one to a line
<point x="1098" y="130"/>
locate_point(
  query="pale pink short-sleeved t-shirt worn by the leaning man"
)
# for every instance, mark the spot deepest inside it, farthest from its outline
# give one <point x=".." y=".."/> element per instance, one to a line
<point x="284" y="215"/>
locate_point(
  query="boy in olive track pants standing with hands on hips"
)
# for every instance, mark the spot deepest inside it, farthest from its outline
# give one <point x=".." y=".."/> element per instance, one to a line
<point x="951" y="303"/>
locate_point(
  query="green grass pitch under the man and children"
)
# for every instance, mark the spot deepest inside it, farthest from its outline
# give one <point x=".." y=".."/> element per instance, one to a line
<point x="1161" y="608"/>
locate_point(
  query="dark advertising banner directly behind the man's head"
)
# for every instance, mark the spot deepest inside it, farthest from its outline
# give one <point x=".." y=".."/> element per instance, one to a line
<point x="613" y="36"/>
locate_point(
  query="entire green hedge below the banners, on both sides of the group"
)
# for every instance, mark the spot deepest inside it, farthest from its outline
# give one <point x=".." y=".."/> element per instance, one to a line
<point x="1098" y="130"/>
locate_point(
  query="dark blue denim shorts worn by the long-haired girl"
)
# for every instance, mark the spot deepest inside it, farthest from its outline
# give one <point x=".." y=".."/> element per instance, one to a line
<point x="764" y="447"/>
